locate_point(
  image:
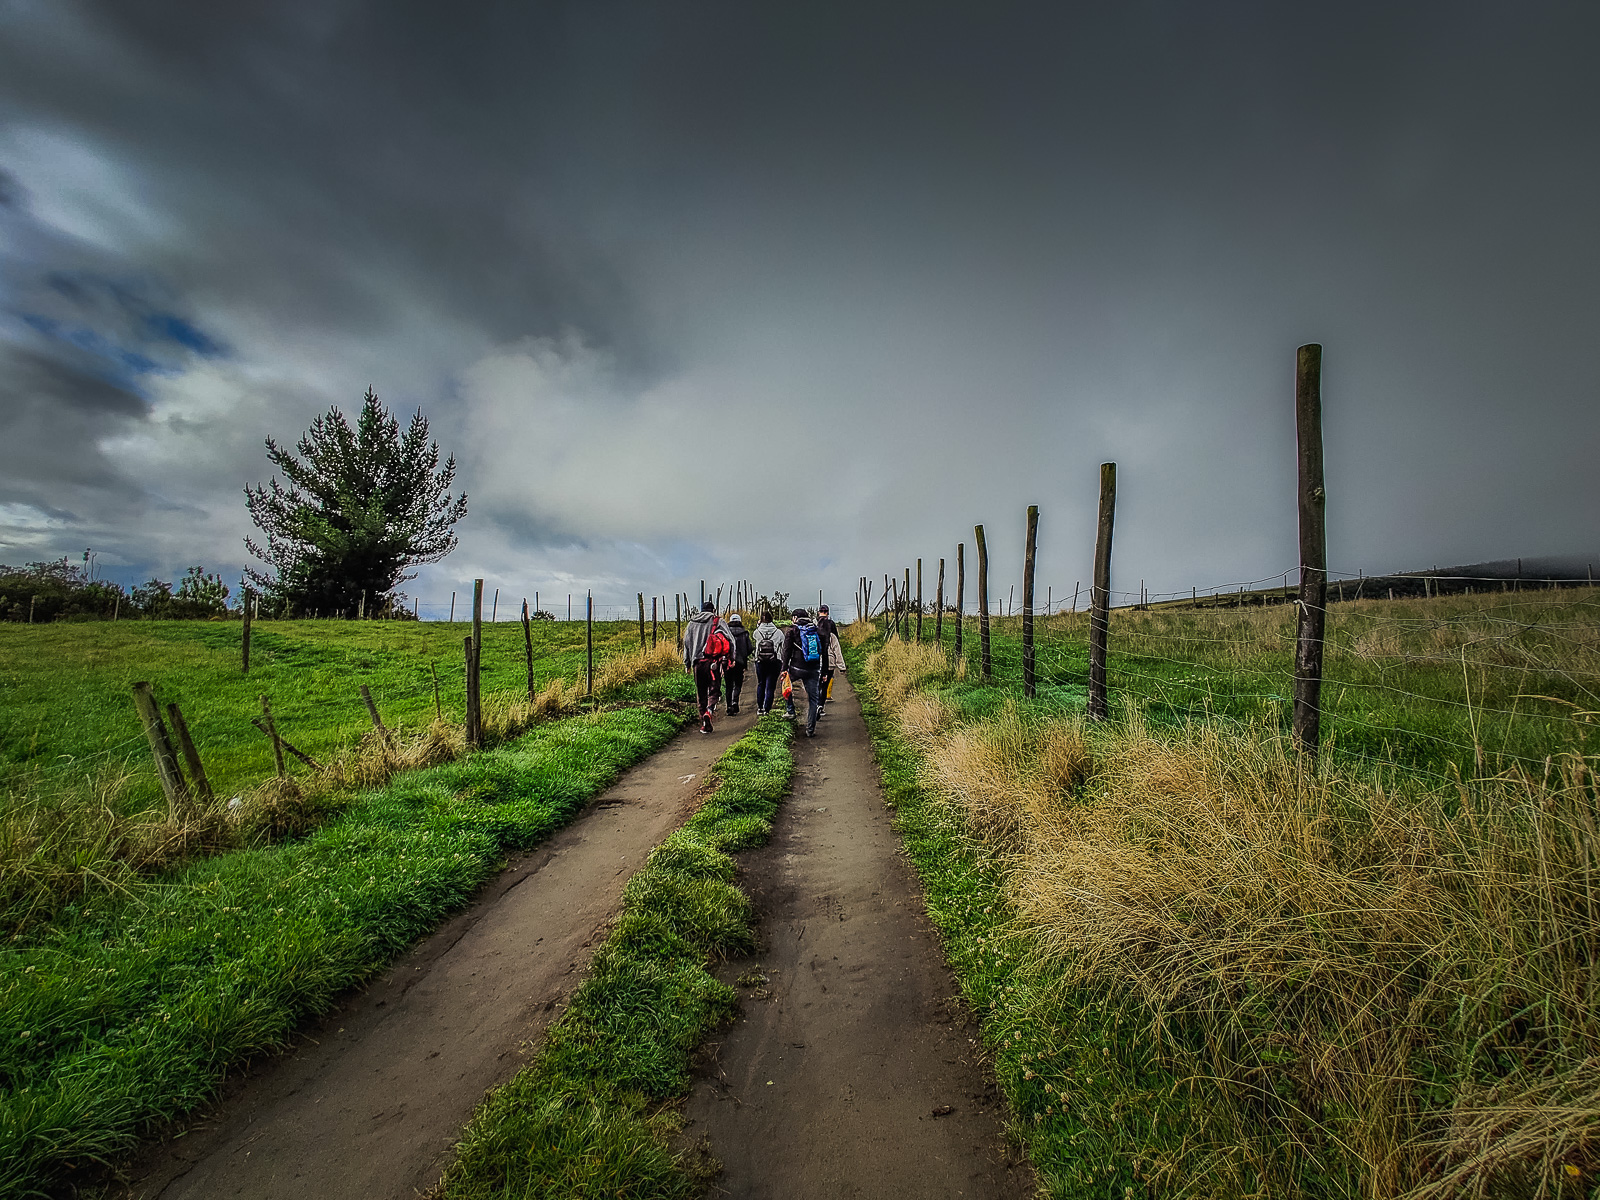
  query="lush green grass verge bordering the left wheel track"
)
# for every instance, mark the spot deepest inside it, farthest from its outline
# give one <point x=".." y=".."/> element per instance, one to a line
<point x="130" y="1007"/>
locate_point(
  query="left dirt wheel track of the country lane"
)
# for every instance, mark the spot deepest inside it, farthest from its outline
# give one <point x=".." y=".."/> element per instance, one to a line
<point x="372" y="1103"/>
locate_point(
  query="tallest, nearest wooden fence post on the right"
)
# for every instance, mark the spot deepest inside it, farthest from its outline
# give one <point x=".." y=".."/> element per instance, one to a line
<point x="1314" y="551"/>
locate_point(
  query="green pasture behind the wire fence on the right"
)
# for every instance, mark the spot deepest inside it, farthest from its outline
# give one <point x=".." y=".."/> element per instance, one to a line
<point x="1460" y="682"/>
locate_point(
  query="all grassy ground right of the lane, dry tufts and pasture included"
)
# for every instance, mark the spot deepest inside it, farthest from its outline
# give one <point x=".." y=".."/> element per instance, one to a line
<point x="1204" y="972"/>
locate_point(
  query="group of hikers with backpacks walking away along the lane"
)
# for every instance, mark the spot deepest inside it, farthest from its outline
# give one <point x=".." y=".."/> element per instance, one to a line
<point x="801" y="655"/>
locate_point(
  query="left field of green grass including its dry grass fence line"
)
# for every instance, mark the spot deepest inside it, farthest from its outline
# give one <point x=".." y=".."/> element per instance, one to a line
<point x="81" y="807"/>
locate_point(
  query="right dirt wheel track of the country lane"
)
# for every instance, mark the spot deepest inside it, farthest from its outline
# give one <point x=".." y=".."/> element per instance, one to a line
<point x="855" y="1070"/>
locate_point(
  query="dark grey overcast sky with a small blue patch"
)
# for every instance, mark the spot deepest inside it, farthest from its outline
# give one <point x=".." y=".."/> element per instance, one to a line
<point x="802" y="292"/>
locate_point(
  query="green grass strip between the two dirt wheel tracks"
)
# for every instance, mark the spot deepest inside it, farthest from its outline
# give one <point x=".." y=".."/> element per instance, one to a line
<point x="591" y="1116"/>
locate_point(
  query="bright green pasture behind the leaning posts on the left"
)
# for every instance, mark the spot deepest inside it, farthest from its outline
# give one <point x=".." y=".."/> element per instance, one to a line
<point x="66" y="708"/>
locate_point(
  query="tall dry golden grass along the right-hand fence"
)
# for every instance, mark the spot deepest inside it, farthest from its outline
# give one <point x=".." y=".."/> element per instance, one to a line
<point x="1348" y="956"/>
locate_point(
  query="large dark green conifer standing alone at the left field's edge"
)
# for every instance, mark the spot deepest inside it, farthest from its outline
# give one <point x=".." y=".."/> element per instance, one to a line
<point x="361" y="506"/>
